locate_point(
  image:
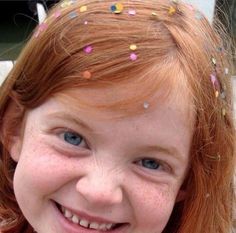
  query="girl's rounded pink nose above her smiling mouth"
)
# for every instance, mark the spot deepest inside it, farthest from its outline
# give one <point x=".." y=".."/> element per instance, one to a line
<point x="100" y="189"/>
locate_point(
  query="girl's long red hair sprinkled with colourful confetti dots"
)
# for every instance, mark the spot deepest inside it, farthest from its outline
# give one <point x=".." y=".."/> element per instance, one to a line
<point x="176" y="49"/>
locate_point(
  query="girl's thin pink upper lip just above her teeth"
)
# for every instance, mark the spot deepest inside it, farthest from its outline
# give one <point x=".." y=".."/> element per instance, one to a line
<point x="89" y="217"/>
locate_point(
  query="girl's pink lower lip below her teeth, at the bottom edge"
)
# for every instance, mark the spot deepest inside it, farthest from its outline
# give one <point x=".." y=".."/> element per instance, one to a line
<point x="69" y="227"/>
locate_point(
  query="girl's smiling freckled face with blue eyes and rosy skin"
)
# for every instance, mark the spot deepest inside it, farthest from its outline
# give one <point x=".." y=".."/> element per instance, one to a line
<point x="101" y="169"/>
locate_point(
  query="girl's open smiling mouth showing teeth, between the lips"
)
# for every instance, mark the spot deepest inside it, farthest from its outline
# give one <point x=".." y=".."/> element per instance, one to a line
<point x="92" y="225"/>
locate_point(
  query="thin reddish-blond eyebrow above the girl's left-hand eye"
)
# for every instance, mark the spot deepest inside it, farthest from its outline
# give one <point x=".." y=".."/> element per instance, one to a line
<point x="69" y="117"/>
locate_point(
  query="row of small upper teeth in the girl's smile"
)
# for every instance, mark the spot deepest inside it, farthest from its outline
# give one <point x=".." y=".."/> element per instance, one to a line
<point x="85" y="223"/>
